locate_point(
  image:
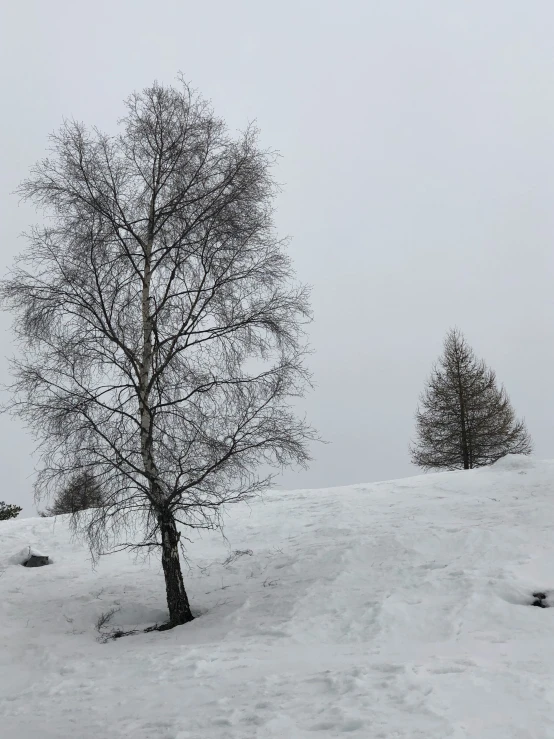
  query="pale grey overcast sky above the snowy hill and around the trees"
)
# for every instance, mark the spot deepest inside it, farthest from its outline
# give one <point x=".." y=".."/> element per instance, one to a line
<point x="418" y="169"/>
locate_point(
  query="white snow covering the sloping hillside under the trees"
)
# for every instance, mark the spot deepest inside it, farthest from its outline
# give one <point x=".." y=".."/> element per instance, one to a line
<point x="385" y="611"/>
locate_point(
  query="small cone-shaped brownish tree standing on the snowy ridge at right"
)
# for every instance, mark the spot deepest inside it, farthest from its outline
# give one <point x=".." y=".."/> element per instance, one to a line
<point x="465" y="419"/>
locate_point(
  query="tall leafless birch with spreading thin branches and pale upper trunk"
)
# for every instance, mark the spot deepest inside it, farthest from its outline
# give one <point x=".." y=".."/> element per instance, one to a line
<point x="160" y="327"/>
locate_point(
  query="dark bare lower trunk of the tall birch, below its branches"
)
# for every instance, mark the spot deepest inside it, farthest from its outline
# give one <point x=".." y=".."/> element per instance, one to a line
<point x="177" y="600"/>
